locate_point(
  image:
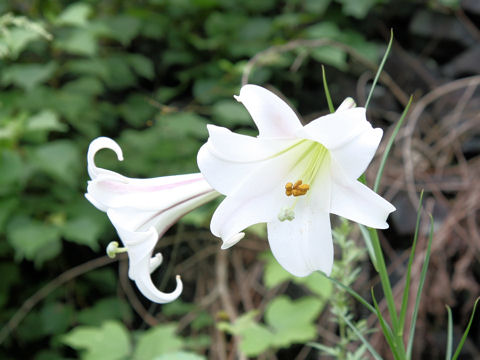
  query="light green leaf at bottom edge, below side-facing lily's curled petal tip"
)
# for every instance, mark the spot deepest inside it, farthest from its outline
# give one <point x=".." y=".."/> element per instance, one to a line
<point x="156" y="341"/>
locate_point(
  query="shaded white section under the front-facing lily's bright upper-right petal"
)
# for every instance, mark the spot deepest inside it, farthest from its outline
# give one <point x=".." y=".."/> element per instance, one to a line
<point x="355" y="156"/>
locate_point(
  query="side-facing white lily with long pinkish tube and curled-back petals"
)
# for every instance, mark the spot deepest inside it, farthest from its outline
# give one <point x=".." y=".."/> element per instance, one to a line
<point x="142" y="210"/>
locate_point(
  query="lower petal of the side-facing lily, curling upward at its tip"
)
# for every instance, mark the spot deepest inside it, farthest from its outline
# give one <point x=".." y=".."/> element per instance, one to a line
<point x="140" y="246"/>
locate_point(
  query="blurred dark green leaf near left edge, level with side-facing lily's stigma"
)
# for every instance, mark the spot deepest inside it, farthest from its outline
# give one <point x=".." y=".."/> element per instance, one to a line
<point x="33" y="240"/>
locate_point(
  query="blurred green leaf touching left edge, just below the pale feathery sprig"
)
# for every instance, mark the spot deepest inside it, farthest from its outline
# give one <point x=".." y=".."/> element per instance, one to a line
<point x="27" y="76"/>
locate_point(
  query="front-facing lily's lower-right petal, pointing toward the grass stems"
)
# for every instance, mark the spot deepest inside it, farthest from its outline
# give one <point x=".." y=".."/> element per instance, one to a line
<point x="355" y="201"/>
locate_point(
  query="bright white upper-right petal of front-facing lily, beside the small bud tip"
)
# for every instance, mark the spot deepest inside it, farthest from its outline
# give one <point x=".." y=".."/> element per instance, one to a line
<point x="337" y="129"/>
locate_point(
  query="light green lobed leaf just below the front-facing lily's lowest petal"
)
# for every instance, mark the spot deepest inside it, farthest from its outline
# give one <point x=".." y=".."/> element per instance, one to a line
<point x="292" y="321"/>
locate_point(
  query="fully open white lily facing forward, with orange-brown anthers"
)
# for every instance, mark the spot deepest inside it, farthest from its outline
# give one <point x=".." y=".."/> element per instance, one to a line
<point x="292" y="177"/>
